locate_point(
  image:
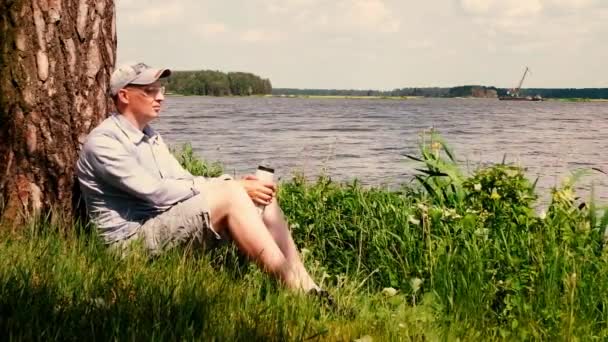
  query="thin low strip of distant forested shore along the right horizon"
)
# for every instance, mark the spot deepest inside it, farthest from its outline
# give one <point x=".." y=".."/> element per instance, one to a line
<point x="461" y="91"/>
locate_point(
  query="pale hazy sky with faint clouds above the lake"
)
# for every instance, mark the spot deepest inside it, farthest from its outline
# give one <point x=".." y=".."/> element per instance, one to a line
<point x="374" y="44"/>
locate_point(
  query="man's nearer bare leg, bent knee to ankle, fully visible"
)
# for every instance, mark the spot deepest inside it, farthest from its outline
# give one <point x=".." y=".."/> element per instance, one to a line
<point x="229" y="203"/>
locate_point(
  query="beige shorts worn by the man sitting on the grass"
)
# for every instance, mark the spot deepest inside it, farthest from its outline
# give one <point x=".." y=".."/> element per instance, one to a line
<point x="185" y="224"/>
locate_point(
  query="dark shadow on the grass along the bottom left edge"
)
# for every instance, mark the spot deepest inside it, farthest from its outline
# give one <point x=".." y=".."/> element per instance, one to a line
<point x="39" y="312"/>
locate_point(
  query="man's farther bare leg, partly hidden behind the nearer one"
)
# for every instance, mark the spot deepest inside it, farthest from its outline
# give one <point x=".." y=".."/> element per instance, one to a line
<point x="279" y="229"/>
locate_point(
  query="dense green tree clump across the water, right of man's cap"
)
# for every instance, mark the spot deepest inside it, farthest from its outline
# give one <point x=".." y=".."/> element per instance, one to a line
<point x="217" y="83"/>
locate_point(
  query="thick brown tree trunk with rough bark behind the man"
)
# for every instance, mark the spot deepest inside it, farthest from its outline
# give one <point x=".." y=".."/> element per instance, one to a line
<point x="56" y="57"/>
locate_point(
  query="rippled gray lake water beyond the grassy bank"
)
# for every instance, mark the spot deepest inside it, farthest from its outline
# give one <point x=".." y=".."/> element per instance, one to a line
<point x="366" y="139"/>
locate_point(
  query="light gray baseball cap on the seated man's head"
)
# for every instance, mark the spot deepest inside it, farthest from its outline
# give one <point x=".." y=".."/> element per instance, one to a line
<point x="138" y="73"/>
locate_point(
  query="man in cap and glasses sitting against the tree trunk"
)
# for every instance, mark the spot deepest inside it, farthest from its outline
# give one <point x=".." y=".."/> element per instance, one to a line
<point x="135" y="189"/>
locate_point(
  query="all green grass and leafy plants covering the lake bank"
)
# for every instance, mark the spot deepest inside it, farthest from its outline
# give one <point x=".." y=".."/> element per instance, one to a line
<point x="468" y="255"/>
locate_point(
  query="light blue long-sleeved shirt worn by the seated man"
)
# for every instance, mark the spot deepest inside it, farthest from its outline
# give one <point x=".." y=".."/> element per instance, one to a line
<point x="127" y="176"/>
